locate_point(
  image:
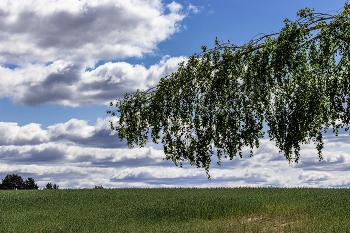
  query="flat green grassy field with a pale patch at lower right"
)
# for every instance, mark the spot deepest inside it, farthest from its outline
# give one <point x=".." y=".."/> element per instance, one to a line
<point x="176" y="210"/>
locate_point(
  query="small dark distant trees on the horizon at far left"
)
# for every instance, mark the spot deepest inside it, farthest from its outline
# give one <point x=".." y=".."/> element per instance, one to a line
<point x="16" y="182"/>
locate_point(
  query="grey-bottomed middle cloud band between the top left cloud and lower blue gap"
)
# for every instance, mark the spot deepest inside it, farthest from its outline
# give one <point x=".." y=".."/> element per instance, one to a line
<point x="71" y="84"/>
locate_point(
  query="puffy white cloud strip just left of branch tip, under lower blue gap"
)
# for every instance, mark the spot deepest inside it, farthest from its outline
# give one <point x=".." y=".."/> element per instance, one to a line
<point x="75" y="131"/>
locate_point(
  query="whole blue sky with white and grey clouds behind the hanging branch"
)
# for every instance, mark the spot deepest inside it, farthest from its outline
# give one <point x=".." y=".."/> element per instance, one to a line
<point x="63" y="61"/>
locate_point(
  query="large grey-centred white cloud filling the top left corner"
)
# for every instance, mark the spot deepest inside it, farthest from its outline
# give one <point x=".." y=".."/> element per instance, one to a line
<point x="83" y="31"/>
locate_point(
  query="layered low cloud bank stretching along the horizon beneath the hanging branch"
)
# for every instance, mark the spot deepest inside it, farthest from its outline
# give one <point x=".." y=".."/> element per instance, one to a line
<point x="78" y="154"/>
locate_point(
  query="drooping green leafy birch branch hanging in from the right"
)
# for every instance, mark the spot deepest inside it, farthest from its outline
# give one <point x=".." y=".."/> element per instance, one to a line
<point x="295" y="81"/>
